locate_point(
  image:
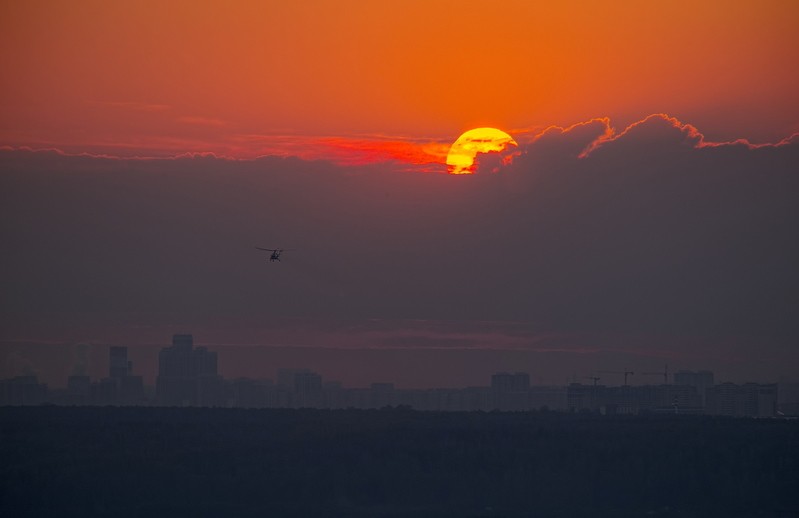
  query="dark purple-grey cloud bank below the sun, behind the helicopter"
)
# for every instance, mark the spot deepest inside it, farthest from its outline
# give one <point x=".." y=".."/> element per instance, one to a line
<point x="647" y="235"/>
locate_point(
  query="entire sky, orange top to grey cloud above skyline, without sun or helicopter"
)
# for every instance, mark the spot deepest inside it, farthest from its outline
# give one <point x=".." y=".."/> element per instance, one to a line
<point x="647" y="216"/>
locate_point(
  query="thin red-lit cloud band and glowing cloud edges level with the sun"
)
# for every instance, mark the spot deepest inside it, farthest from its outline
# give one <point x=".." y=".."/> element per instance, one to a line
<point x="659" y="131"/>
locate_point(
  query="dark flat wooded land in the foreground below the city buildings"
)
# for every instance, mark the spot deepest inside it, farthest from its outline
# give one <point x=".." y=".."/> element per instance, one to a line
<point x="59" y="461"/>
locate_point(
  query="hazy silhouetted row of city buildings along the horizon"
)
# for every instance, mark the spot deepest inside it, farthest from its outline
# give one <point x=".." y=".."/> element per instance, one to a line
<point x="188" y="376"/>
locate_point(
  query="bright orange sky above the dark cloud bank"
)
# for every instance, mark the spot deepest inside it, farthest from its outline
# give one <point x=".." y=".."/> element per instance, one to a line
<point x="246" y="78"/>
